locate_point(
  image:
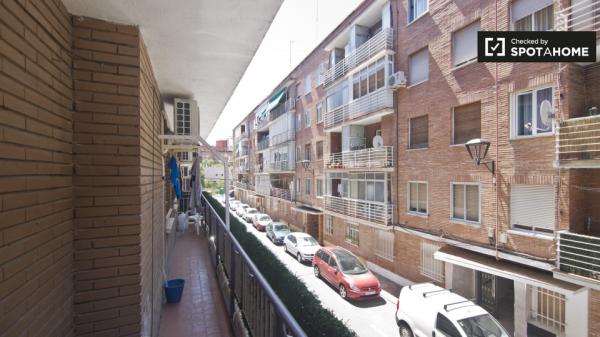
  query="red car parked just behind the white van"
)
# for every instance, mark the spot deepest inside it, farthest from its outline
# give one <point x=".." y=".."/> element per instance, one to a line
<point x="344" y="271"/>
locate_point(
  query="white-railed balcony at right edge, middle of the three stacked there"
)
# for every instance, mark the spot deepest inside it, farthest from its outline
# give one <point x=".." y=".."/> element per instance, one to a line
<point x="578" y="142"/>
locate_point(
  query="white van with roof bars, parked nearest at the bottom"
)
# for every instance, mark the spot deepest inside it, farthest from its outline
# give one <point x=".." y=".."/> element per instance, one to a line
<point x="429" y="310"/>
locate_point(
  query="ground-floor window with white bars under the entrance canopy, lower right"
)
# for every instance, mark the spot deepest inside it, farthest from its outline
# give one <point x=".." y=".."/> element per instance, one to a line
<point x="547" y="309"/>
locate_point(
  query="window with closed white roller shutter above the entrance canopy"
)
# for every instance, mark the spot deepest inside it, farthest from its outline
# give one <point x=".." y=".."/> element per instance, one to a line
<point x="532" y="207"/>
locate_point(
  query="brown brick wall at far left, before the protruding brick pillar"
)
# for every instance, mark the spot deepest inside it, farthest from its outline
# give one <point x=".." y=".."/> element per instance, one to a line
<point x="36" y="209"/>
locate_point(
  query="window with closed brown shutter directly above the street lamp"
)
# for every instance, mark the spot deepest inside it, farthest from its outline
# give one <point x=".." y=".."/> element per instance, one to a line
<point x="466" y="123"/>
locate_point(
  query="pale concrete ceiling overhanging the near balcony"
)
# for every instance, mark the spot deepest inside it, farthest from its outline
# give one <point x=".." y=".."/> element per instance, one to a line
<point x="199" y="48"/>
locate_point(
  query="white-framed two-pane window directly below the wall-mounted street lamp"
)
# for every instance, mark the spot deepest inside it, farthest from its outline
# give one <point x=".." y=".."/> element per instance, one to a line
<point x="465" y="202"/>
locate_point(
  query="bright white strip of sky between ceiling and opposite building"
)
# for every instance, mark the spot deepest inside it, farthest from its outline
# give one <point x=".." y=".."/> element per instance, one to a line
<point x="298" y="27"/>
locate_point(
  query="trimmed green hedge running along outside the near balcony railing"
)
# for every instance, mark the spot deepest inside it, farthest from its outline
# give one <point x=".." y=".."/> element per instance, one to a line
<point x="308" y="311"/>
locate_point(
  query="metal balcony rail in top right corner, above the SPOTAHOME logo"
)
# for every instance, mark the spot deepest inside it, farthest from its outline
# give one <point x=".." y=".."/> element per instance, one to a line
<point x="582" y="16"/>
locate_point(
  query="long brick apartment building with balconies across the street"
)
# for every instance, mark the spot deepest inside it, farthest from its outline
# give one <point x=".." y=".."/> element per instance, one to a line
<point x="402" y="94"/>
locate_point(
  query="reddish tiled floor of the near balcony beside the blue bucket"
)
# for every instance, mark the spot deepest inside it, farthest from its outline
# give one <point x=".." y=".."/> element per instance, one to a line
<point x="201" y="312"/>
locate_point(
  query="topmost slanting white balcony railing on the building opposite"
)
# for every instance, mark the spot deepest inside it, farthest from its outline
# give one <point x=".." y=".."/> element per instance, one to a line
<point x="382" y="40"/>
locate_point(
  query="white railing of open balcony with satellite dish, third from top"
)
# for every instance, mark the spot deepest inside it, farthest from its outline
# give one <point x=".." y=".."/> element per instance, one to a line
<point x="380" y="157"/>
